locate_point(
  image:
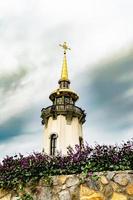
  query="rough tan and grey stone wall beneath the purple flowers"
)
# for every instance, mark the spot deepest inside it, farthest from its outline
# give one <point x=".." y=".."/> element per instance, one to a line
<point x="102" y="186"/>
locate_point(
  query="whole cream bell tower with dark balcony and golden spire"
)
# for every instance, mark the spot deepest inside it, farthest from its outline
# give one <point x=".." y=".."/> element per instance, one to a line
<point x="63" y="119"/>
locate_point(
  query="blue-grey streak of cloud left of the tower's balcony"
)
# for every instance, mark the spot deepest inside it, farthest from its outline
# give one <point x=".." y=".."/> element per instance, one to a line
<point x="23" y="123"/>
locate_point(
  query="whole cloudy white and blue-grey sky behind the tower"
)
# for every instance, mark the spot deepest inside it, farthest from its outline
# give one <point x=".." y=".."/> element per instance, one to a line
<point x="100" y="35"/>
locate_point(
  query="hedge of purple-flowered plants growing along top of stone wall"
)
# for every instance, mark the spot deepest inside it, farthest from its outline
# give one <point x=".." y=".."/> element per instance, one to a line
<point x="17" y="171"/>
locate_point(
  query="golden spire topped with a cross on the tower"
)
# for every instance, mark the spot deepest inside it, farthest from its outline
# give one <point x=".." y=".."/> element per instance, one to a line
<point x="64" y="73"/>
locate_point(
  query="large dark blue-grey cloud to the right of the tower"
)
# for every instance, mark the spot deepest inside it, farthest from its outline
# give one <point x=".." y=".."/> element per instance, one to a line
<point x="110" y="93"/>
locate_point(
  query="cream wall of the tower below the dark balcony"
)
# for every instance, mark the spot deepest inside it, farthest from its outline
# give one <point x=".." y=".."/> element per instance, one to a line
<point x="68" y="133"/>
